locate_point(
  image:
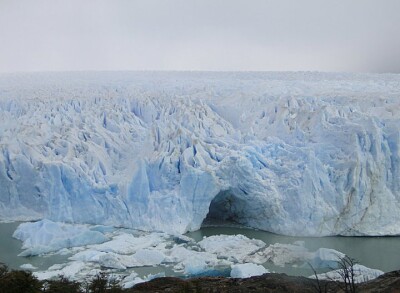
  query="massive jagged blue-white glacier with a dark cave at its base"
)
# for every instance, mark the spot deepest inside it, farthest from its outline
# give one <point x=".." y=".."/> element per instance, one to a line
<point x="291" y="153"/>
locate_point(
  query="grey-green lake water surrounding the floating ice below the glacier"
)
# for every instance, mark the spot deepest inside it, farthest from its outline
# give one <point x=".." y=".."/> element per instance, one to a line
<point x="374" y="252"/>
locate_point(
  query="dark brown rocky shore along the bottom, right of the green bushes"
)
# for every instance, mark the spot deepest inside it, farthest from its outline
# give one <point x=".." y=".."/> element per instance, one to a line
<point x="389" y="282"/>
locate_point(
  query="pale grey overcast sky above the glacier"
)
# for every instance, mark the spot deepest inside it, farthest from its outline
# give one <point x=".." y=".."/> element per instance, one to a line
<point x="323" y="35"/>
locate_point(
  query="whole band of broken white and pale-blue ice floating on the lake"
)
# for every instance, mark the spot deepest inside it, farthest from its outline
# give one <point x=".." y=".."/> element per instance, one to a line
<point x="126" y="250"/>
